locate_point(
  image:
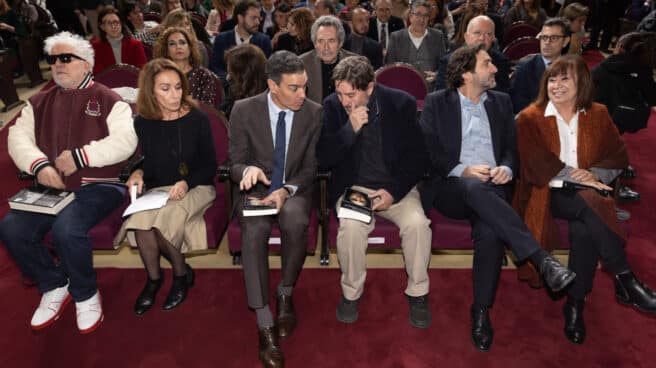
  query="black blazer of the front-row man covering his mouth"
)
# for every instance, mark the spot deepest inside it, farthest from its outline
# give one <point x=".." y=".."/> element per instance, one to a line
<point x="403" y="152"/>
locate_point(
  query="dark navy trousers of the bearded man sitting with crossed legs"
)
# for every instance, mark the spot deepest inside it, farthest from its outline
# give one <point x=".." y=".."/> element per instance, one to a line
<point x="494" y="223"/>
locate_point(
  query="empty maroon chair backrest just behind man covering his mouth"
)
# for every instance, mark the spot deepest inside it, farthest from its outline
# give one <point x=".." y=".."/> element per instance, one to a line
<point x="404" y="77"/>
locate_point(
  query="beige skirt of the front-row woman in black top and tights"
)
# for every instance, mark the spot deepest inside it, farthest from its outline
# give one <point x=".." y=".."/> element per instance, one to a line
<point x="180" y="222"/>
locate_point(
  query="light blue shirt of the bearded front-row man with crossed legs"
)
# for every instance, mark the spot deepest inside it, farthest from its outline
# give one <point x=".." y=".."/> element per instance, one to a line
<point x="476" y="146"/>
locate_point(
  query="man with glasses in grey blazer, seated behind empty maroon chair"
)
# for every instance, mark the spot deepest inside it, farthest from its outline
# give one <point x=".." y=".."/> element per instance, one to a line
<point x="419" y="45"/>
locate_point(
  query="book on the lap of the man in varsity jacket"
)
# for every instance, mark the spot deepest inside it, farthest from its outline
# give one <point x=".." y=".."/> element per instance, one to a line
<point x="41" y="199"/>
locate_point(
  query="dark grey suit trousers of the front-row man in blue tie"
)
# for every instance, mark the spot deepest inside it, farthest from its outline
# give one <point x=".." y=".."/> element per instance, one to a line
<point x="293" y="220"/>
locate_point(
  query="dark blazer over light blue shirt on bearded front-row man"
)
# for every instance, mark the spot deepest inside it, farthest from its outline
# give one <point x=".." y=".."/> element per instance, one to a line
<point x="441" y="123"/>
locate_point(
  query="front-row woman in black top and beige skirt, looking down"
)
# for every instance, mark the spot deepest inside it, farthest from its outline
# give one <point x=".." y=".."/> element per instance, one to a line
<point x="175" y="139"/>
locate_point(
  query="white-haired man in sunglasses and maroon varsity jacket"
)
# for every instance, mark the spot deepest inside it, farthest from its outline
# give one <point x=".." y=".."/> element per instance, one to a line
<point x="65" y="136"/>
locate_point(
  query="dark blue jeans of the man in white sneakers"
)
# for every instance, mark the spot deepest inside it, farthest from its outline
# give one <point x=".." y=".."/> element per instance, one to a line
<point x="23" y="232"/>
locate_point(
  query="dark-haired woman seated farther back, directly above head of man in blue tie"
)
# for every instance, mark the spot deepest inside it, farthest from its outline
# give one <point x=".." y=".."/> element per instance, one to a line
<point x="297" y="39"/>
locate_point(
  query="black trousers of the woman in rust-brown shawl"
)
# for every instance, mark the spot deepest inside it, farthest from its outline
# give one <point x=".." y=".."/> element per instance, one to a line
<point x="589" y="240"/>
